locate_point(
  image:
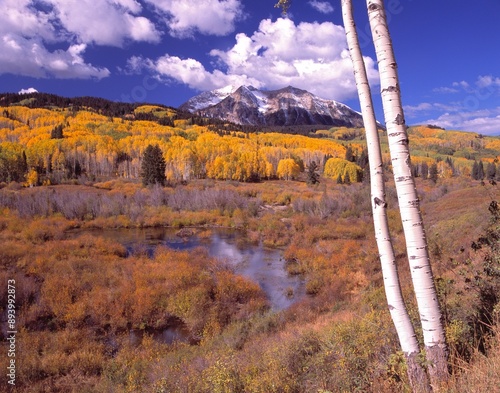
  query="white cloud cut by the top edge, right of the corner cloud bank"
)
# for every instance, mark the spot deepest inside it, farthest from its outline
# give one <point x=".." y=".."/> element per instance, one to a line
<point x="211" y="17"/>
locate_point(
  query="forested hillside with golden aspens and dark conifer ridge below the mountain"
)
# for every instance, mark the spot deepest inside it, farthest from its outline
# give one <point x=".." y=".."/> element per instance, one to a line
<point x="90" y="141"/>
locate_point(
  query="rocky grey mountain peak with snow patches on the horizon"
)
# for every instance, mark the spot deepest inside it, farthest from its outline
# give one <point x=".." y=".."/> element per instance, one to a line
<point x="285" y="107"/>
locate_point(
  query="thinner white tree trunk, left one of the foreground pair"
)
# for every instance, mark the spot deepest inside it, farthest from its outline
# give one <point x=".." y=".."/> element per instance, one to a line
<point x="407" y="338"/>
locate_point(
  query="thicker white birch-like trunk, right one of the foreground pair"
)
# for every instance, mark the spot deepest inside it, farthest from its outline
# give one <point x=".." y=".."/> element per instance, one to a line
<point x="416" y="242"/>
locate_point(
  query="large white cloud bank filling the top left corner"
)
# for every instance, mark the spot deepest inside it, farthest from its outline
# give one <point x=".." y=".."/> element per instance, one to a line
<point x="49" y="38"/>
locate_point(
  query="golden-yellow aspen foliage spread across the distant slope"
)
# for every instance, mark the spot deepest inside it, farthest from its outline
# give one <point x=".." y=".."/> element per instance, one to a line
<point x="104" y="147"/>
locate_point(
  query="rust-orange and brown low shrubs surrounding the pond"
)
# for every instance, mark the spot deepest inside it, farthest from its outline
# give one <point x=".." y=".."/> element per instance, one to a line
<point x="79" y="298"/>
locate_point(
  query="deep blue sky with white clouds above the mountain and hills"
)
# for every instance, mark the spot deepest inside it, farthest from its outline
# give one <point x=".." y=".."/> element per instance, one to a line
<point x="166" y="51"/>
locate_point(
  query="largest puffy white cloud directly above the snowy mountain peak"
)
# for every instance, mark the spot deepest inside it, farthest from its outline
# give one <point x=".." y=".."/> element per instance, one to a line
<point x="311" y="56"/>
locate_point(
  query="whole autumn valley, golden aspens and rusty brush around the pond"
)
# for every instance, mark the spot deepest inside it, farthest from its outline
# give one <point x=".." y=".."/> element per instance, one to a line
<point x="70" y="171"/>
